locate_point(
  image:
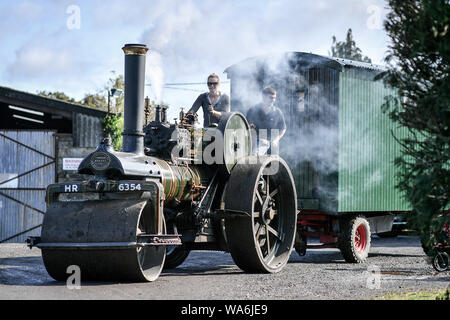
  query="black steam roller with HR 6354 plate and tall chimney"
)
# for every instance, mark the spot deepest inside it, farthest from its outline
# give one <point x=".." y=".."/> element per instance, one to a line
<point x="174" y="188"/>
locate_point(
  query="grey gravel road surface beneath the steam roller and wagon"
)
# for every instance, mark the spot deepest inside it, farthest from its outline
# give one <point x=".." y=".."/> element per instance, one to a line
<point x="394" y="264"/>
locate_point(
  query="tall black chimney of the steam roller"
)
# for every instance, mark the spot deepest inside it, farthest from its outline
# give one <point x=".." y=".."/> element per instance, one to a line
<point x="133" y="137"/>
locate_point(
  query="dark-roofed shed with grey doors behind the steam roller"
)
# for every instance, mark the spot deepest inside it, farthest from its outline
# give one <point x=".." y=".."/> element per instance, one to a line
<point x="39" y="137"/>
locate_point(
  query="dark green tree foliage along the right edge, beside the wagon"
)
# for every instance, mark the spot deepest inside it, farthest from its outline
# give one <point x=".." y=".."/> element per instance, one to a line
<point x="419" y="65"/>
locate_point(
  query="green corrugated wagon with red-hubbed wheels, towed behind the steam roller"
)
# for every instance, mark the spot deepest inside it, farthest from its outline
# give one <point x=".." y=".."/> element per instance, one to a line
<point x="339" y="144"/>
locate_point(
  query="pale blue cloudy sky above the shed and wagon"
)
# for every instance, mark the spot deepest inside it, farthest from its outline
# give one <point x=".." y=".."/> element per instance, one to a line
<point x="72" y="46"/>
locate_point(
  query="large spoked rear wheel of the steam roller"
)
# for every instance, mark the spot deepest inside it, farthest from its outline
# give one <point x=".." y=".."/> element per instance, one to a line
<point x="261" y="202"/>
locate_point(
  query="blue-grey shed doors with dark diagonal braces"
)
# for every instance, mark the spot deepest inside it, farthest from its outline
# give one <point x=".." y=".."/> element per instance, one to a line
<point x="27" y="166"/>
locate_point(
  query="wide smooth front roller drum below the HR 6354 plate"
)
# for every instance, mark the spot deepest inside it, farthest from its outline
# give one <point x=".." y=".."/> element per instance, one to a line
<point x="101" y="238"/>
